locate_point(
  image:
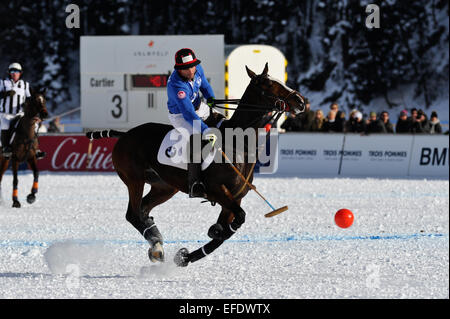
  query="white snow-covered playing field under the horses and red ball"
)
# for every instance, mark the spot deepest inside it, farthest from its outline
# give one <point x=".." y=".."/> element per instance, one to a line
<point x="74" y="242"/>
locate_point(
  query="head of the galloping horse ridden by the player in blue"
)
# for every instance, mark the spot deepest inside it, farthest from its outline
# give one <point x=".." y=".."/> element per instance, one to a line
<point x="276" y="93"/>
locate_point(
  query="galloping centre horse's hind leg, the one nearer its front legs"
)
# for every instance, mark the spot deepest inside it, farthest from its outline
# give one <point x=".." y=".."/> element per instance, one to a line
<point x="159" y="193"/>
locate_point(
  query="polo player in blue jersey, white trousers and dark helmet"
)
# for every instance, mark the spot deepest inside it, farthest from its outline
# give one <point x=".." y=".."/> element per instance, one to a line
<point x="186" y="106"/>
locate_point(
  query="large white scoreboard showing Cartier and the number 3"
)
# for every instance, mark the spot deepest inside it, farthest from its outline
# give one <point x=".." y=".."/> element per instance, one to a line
<point x="124" y="78"/>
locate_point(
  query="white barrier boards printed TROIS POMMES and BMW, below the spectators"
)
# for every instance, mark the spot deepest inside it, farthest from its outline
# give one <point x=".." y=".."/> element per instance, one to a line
<point x="362" y="155"/>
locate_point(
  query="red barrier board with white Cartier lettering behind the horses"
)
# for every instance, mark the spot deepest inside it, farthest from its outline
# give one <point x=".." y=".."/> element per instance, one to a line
<point x="69" y="153"/>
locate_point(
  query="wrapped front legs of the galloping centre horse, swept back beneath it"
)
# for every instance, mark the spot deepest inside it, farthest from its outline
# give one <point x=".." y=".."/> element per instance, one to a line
<point x="230" y="220"/>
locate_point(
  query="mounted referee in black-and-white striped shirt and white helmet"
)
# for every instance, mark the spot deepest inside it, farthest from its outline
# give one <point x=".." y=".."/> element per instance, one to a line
<point x="13" y="93"/>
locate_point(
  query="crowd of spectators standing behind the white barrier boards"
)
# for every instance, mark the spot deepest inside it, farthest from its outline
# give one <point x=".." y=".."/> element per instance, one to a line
<point x="416" y="122"/>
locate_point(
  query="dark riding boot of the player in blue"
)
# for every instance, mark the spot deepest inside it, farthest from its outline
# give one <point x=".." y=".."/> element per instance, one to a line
<point x="196" y="186"/>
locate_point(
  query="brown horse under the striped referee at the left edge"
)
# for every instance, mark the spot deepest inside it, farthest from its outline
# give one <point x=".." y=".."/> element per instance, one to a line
<point x="25" y="144"/>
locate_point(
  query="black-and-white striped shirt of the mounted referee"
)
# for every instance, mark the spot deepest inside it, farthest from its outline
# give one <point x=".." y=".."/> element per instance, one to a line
<point x="13" y="104"/>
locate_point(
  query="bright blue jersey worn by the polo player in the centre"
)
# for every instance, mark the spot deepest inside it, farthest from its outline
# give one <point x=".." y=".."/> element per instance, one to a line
<point x="184" y="96"/>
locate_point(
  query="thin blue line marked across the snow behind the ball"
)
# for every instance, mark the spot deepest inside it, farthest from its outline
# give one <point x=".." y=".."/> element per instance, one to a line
<point x="293" y="238"/>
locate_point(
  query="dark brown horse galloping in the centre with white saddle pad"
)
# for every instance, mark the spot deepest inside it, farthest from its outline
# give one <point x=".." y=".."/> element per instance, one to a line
<point x="135" y="160"/>
